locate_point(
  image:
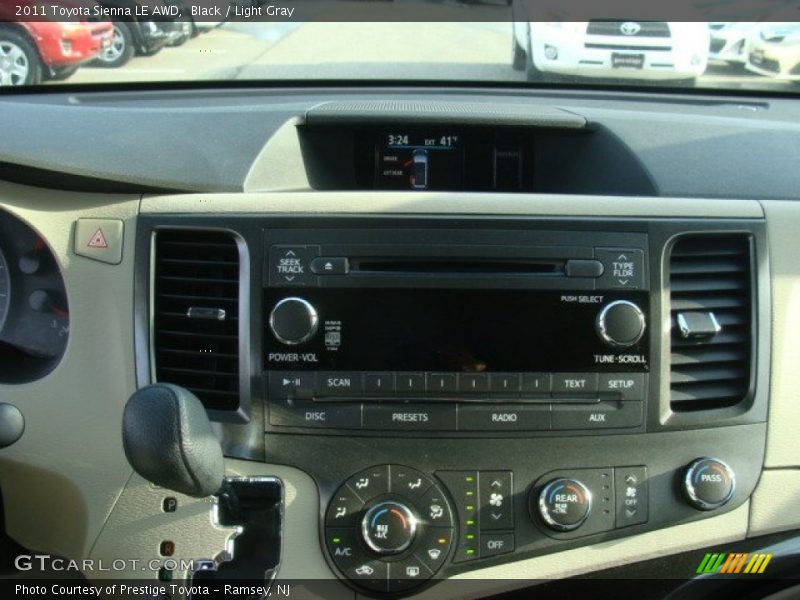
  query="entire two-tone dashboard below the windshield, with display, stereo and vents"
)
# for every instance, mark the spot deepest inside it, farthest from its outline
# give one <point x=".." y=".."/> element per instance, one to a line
<point x="460" y="340"/>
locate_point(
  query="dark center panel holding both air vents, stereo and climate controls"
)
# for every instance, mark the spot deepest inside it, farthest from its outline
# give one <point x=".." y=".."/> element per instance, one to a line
<point x="472" y="391"/>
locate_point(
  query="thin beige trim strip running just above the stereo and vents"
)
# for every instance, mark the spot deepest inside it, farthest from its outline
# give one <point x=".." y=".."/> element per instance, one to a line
<point x="435" y="203"/>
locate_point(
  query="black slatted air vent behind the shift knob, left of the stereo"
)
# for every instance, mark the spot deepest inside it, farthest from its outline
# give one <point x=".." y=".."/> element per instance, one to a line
<point x="196" y="314"/>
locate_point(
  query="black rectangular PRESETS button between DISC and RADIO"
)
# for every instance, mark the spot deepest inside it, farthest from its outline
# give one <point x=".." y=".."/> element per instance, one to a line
<point x="410" y="417"/>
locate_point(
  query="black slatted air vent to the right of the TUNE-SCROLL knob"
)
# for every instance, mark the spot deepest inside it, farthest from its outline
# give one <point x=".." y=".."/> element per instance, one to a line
<point x="711" y="321"/>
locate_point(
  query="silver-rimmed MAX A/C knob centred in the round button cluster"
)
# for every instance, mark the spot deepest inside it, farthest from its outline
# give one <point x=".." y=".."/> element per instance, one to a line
<point x="389" y="528"/>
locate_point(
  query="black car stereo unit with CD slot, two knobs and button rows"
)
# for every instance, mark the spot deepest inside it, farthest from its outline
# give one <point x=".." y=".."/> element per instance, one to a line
<point x="375" y="330"/>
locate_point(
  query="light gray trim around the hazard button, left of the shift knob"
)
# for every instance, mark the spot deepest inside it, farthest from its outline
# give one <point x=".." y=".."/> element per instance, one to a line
<point x="62" y="477"/>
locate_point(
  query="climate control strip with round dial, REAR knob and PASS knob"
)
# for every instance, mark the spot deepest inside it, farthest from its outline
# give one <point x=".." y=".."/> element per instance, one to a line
<point x="390" y="528"/>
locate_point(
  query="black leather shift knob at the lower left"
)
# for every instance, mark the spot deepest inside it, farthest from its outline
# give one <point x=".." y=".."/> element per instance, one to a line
<point x="168" y="440"/>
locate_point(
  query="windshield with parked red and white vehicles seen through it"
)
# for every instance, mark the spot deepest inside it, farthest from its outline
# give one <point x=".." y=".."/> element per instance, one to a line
<point x="105" y="42"/>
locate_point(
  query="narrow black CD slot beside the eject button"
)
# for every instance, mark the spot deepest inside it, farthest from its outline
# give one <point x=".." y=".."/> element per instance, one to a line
<point x="440" y="266"/>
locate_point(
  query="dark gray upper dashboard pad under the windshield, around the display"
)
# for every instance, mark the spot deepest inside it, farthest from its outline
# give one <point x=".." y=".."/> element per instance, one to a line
<point x="659" y="145"/>
